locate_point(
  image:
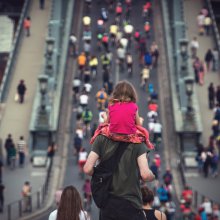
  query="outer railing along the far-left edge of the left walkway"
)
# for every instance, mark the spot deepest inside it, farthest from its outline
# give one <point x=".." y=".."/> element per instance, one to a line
<point x="12" y="56"/>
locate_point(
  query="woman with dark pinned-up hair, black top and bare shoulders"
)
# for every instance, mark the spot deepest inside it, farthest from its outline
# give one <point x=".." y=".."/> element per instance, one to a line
<point x="148" y="199"/>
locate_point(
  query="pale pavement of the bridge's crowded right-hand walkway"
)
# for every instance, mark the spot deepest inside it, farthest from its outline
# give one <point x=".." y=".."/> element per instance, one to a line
<point x="205" y="186"/>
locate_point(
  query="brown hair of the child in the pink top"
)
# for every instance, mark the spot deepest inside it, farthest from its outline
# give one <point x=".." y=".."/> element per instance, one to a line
<point x="124" y="92"/>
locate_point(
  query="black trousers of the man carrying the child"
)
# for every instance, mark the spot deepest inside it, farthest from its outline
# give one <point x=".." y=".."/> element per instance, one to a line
<point x="122" y="209"/>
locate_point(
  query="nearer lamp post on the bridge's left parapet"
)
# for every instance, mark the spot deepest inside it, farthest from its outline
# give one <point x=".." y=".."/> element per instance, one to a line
<point x="42" y="114"/>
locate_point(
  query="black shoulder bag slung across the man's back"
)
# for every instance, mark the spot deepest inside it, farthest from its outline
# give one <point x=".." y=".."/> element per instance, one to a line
<point x="103" y="175"/>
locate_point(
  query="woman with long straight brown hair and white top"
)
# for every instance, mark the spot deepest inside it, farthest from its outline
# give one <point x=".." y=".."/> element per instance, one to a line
<point x="70" y="206"/>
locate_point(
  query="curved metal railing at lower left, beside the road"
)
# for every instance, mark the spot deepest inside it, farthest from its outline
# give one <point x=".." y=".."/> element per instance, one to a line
<point x="31" y="203"/>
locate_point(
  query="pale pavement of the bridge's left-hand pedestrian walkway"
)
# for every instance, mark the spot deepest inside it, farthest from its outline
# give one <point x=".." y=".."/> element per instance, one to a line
<point x="16" y="117"/>
